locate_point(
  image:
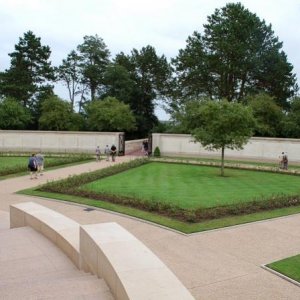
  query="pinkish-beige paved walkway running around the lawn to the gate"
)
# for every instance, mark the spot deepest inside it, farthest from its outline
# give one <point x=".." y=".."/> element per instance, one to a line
<point x="220" y="264"/>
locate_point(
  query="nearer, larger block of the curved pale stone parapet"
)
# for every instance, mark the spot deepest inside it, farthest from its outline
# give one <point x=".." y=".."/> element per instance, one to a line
<point x="130" y="269"/>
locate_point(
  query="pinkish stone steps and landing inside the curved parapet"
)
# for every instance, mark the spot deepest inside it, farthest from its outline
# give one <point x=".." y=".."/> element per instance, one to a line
<point x="32" y="267"/>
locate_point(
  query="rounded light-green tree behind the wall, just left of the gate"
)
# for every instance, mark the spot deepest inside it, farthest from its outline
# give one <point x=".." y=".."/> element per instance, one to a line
<point x="109" y="114"/>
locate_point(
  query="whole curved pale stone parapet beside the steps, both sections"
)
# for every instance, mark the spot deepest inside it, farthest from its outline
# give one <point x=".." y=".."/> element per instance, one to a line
<point x="107" y="250"/>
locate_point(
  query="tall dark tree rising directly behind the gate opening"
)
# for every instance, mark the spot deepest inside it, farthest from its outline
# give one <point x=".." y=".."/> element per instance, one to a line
<point x="150" y="74"/>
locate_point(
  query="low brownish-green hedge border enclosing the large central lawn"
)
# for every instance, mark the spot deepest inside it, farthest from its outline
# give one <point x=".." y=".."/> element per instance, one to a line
<point x="73" y="184"/>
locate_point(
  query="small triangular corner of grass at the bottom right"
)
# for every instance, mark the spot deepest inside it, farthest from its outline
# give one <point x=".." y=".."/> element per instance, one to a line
<point x="289" y="267"/>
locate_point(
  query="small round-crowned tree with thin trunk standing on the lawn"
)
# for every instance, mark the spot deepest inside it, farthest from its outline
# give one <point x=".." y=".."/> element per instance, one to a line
<point x="219" y="125"/>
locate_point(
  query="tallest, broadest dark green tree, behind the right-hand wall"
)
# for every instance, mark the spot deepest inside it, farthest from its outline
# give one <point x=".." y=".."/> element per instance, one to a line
<point x="237" y="55"/>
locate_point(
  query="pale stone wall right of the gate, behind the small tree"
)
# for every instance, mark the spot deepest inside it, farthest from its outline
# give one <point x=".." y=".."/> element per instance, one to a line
<point x="256" y="148"/>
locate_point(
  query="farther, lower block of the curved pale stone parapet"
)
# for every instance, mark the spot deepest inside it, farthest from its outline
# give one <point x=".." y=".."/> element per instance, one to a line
<point x="61" y="230"/>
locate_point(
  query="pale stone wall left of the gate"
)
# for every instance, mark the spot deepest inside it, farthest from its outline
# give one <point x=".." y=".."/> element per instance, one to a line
<point x="56" y="141"/>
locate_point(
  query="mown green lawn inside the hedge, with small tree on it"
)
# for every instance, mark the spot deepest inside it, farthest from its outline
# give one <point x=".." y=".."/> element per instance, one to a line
<point x="190" y="187"/>
